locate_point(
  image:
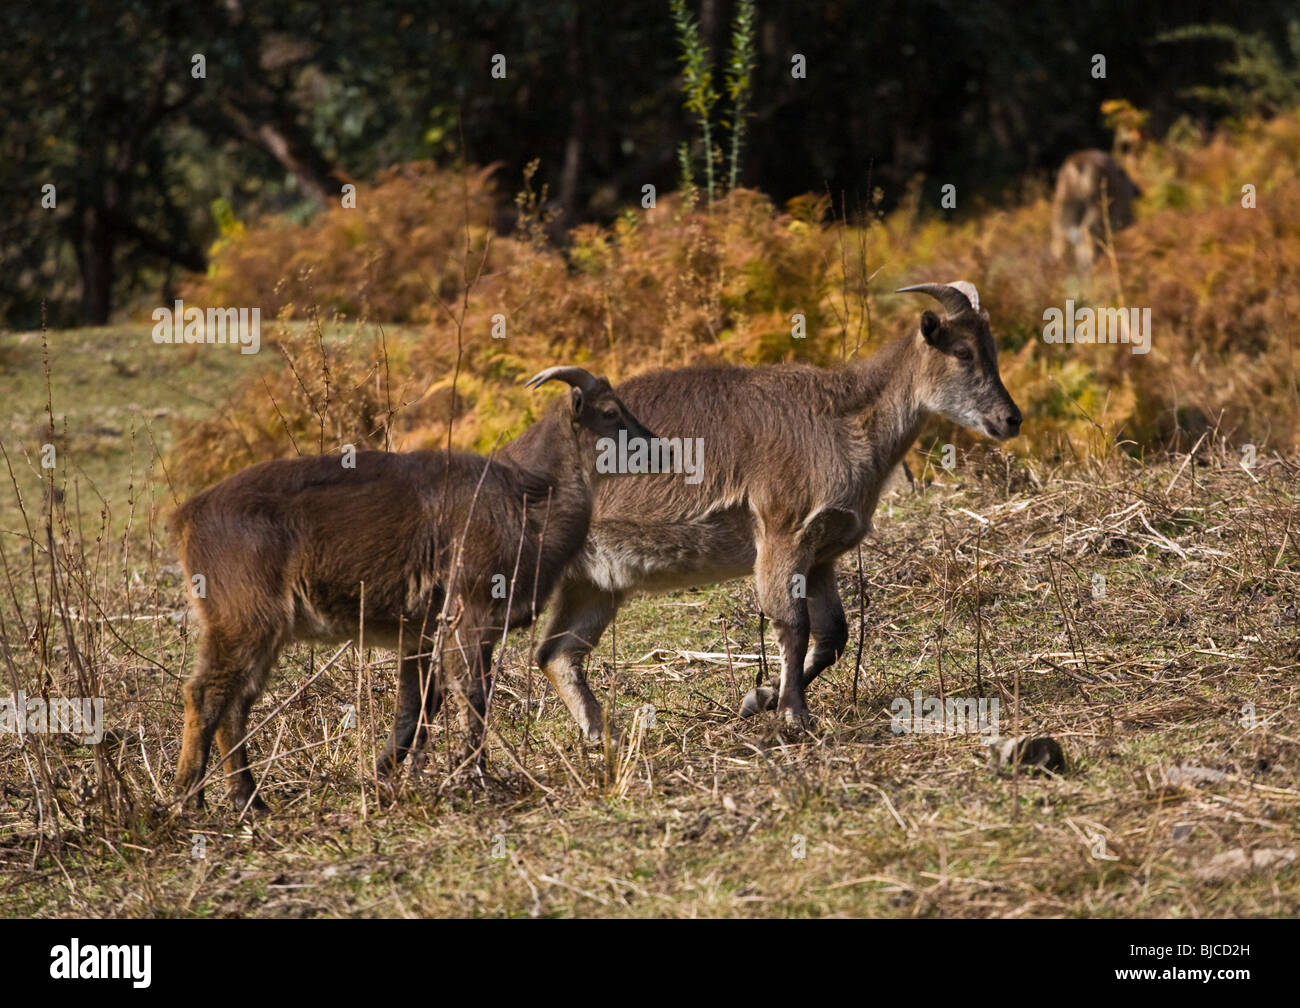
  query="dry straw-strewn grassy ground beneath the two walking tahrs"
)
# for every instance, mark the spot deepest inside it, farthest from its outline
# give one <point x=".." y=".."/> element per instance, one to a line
<point x="1143" y="616"/>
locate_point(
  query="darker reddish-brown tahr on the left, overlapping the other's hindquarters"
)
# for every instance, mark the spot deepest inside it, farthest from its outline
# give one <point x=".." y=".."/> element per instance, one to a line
<point x="452" y="550"/>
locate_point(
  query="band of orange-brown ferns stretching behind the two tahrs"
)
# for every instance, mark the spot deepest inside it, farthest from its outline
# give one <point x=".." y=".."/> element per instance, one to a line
<point x="748" y="283"/>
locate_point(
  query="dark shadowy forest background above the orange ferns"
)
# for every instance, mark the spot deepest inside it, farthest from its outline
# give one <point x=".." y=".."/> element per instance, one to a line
<point x="300" y="98"/>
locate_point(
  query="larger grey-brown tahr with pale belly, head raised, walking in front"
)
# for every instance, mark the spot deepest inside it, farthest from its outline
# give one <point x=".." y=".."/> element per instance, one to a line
<point x="794" y="462"/>
